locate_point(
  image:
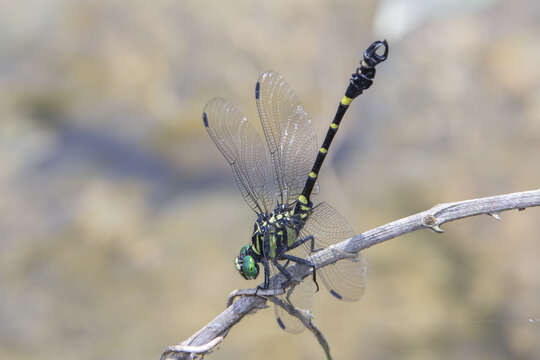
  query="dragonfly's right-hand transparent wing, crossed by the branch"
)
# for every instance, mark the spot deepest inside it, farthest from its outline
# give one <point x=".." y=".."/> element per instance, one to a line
<point x="346" y="278"/>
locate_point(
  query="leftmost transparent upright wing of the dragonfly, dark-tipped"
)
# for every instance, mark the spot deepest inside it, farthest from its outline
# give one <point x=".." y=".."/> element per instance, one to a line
<point x="243" y="149"/>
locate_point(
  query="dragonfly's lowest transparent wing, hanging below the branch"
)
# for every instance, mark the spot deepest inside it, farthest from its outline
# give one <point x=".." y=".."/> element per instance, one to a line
<point x="301" y="297"/>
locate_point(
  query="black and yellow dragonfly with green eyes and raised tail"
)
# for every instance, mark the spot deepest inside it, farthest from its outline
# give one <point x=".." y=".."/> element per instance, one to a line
<point x="277" y="178"/>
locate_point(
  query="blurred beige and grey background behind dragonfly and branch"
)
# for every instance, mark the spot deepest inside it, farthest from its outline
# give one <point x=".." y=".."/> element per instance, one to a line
<point x="119" y="219"/>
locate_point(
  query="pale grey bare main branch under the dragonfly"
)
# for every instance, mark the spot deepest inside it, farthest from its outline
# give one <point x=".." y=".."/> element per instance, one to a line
<point x="429" y="219"/>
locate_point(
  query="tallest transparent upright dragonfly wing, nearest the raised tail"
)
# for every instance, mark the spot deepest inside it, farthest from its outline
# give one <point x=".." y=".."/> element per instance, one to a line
<point x="289" y="134"/>
